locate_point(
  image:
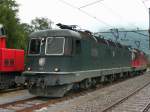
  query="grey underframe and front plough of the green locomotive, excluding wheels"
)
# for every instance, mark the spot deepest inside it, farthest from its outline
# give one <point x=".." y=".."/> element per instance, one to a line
<point x="59" y="83"/>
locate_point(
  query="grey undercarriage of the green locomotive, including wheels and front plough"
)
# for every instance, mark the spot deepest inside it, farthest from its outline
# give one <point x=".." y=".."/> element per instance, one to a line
<point x="57" y="85"/>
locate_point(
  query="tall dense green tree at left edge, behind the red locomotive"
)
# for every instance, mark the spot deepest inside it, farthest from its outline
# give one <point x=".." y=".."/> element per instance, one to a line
<point x="15" y="31"/>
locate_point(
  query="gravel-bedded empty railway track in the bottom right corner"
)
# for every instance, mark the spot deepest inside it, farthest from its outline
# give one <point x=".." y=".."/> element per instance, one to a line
<point x="137" y="101"/>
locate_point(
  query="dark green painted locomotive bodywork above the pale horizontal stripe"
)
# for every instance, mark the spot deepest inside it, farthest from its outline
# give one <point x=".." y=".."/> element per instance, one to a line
<point x="93" y="55"/>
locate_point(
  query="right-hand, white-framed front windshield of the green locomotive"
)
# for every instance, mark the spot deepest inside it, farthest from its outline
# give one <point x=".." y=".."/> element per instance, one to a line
<point x="55" y="45"/>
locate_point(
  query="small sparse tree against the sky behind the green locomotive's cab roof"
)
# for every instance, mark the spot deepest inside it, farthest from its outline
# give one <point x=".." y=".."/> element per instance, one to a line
<point x="41" y="24"/>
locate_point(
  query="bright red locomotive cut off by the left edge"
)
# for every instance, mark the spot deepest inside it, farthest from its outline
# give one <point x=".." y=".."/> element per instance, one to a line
<point x="11" y="62"/>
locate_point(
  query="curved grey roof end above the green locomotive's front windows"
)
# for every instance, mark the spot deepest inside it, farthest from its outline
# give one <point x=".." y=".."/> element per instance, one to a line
<point x="55" y="33"/>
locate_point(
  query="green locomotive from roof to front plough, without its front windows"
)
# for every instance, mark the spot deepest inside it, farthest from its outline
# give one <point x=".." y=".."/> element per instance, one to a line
<point x="93" y="58"/>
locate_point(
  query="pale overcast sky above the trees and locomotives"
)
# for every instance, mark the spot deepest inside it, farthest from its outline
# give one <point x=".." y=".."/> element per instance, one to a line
<point x="105" y="14"/>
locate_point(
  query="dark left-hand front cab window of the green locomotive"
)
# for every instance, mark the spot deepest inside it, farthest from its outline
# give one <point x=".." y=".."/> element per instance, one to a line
<point x="34" y="47"/>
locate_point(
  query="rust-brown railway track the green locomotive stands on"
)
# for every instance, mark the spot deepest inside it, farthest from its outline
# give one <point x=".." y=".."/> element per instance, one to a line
<point x="34" y="103"/>
